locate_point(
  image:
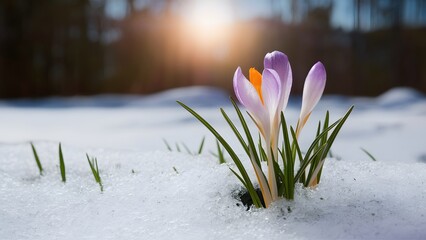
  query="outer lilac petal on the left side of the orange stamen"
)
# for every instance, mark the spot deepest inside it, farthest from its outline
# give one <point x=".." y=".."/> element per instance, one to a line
<point x="248" y="96"/>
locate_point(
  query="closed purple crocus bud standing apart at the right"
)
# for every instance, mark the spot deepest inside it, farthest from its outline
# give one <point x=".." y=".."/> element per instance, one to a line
<point x="313" y="89"/>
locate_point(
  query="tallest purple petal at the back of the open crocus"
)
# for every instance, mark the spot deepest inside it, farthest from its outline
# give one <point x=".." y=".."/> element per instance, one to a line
<point x="278" y="61"/>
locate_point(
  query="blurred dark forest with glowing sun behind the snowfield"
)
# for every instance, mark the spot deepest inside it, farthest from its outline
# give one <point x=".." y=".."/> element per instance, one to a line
<point x="85" y="47"/>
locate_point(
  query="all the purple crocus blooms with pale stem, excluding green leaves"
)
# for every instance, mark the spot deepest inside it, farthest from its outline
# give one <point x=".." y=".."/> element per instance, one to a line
<point x="266" y="95"/>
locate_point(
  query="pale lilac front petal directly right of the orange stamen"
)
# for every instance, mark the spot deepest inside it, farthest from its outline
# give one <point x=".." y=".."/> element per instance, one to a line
<point x="271" y="91"/>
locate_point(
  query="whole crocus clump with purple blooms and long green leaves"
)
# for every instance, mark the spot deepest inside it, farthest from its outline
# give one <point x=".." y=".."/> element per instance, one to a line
<point x="265" y="95"/>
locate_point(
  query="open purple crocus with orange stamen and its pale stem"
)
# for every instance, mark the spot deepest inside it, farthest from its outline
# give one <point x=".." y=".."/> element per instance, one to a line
<point x="265" y="96"/>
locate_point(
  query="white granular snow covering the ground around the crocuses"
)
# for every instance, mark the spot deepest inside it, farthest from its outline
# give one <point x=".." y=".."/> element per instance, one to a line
<point x="151" y="193"/>
